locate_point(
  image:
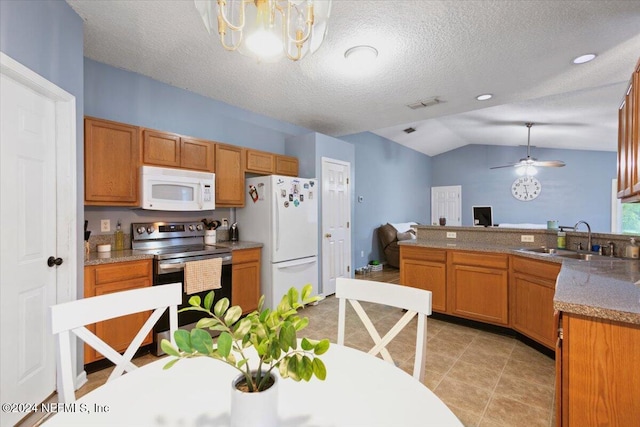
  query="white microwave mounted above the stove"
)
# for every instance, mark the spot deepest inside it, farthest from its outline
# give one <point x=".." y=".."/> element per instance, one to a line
<point x="166" y="189"/>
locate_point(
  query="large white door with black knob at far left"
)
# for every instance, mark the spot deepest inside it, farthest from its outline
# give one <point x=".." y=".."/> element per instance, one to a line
<point x="30" y="222"/>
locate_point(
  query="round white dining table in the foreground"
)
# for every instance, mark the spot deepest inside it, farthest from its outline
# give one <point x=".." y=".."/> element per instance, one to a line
<point x="360" y="390"/>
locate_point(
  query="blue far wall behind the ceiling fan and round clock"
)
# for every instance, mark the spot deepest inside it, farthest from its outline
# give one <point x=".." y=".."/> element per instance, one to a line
<point x="580" y="190"/>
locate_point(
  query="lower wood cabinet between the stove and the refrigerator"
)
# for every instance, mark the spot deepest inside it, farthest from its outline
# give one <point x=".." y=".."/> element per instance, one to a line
<point x="245" y="290"/>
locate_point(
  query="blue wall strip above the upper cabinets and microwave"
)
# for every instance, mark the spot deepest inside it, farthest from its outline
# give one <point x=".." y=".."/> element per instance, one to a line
<point x="123" y="96"/>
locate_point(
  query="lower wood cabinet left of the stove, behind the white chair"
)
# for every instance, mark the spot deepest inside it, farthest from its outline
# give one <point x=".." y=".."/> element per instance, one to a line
<point x="116" y="277"/>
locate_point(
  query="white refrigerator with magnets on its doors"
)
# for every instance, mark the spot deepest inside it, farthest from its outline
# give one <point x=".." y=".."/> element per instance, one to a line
<point x="281" y="212"/>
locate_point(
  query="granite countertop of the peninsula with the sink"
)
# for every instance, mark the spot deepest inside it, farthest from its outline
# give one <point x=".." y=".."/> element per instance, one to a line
<point x="607" y="288"/>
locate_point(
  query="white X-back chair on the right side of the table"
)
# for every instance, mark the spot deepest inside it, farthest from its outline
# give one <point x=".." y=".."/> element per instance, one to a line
<point x="415" y="301"/>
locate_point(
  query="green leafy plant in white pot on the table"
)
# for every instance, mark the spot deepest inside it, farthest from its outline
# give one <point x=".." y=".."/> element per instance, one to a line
<point x="271" y="333"/>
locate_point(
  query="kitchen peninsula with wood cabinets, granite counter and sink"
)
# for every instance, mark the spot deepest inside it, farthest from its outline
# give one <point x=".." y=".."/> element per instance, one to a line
<point x="490" y="275"/>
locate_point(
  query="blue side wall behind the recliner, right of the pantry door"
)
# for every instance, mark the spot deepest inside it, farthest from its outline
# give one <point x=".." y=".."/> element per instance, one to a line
<point x="395" y="185"/>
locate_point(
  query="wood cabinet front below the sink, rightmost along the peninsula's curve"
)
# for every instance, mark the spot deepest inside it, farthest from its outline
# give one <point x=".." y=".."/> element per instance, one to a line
<point x="533" y="284"/>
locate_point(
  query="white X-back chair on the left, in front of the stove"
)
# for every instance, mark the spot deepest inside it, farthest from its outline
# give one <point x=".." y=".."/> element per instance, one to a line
<point x="73" y="316"/>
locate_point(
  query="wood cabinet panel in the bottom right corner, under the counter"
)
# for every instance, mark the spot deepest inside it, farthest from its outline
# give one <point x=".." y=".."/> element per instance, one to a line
<point x="600" y="375"/>
